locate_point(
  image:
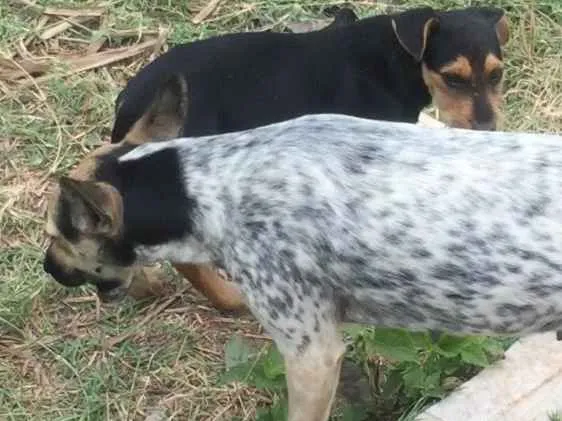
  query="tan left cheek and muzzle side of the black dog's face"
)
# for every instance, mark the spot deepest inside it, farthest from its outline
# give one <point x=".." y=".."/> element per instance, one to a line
<point x="455" y="109"/>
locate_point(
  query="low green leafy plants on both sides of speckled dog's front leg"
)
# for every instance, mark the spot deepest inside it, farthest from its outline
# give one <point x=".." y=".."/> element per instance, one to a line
<point x="415" y="371"/>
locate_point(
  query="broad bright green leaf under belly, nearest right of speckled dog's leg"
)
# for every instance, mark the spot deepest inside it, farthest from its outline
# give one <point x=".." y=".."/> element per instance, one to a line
<point x="394" y="344"/>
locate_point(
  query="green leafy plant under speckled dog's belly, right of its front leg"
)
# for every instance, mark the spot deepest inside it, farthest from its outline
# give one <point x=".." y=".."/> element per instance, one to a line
<point x="418" y="370"/>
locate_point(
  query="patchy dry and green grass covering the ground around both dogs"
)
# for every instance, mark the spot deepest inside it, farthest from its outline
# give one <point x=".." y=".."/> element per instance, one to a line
<point x="55" y="361"/>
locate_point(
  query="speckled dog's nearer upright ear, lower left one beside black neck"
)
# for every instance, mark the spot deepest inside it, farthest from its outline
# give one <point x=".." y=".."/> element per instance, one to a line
<point x="93" y="207"/>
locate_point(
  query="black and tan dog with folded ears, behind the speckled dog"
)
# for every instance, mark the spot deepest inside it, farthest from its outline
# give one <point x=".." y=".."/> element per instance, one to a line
<point x="387" y="67"/>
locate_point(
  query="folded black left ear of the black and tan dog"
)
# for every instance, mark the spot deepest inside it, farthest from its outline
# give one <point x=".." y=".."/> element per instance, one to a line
<point x="412" y="29"/>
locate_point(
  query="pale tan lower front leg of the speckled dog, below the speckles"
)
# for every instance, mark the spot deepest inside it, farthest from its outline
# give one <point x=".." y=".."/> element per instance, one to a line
<point x="312" y="379"/>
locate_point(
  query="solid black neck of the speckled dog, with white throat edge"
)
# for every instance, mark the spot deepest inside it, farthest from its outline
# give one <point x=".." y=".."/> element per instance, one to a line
<point x="158" y="213"/>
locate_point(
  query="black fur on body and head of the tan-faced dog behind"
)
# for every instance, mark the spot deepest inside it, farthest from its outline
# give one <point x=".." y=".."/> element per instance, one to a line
<point x="244" y="80"/>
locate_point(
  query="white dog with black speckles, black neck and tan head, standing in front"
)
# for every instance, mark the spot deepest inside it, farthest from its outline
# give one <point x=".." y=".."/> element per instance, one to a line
<point x="327" y="219"/>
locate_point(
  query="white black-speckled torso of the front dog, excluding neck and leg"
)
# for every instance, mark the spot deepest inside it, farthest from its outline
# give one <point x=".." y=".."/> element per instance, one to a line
<point x="420" y="228"/>
